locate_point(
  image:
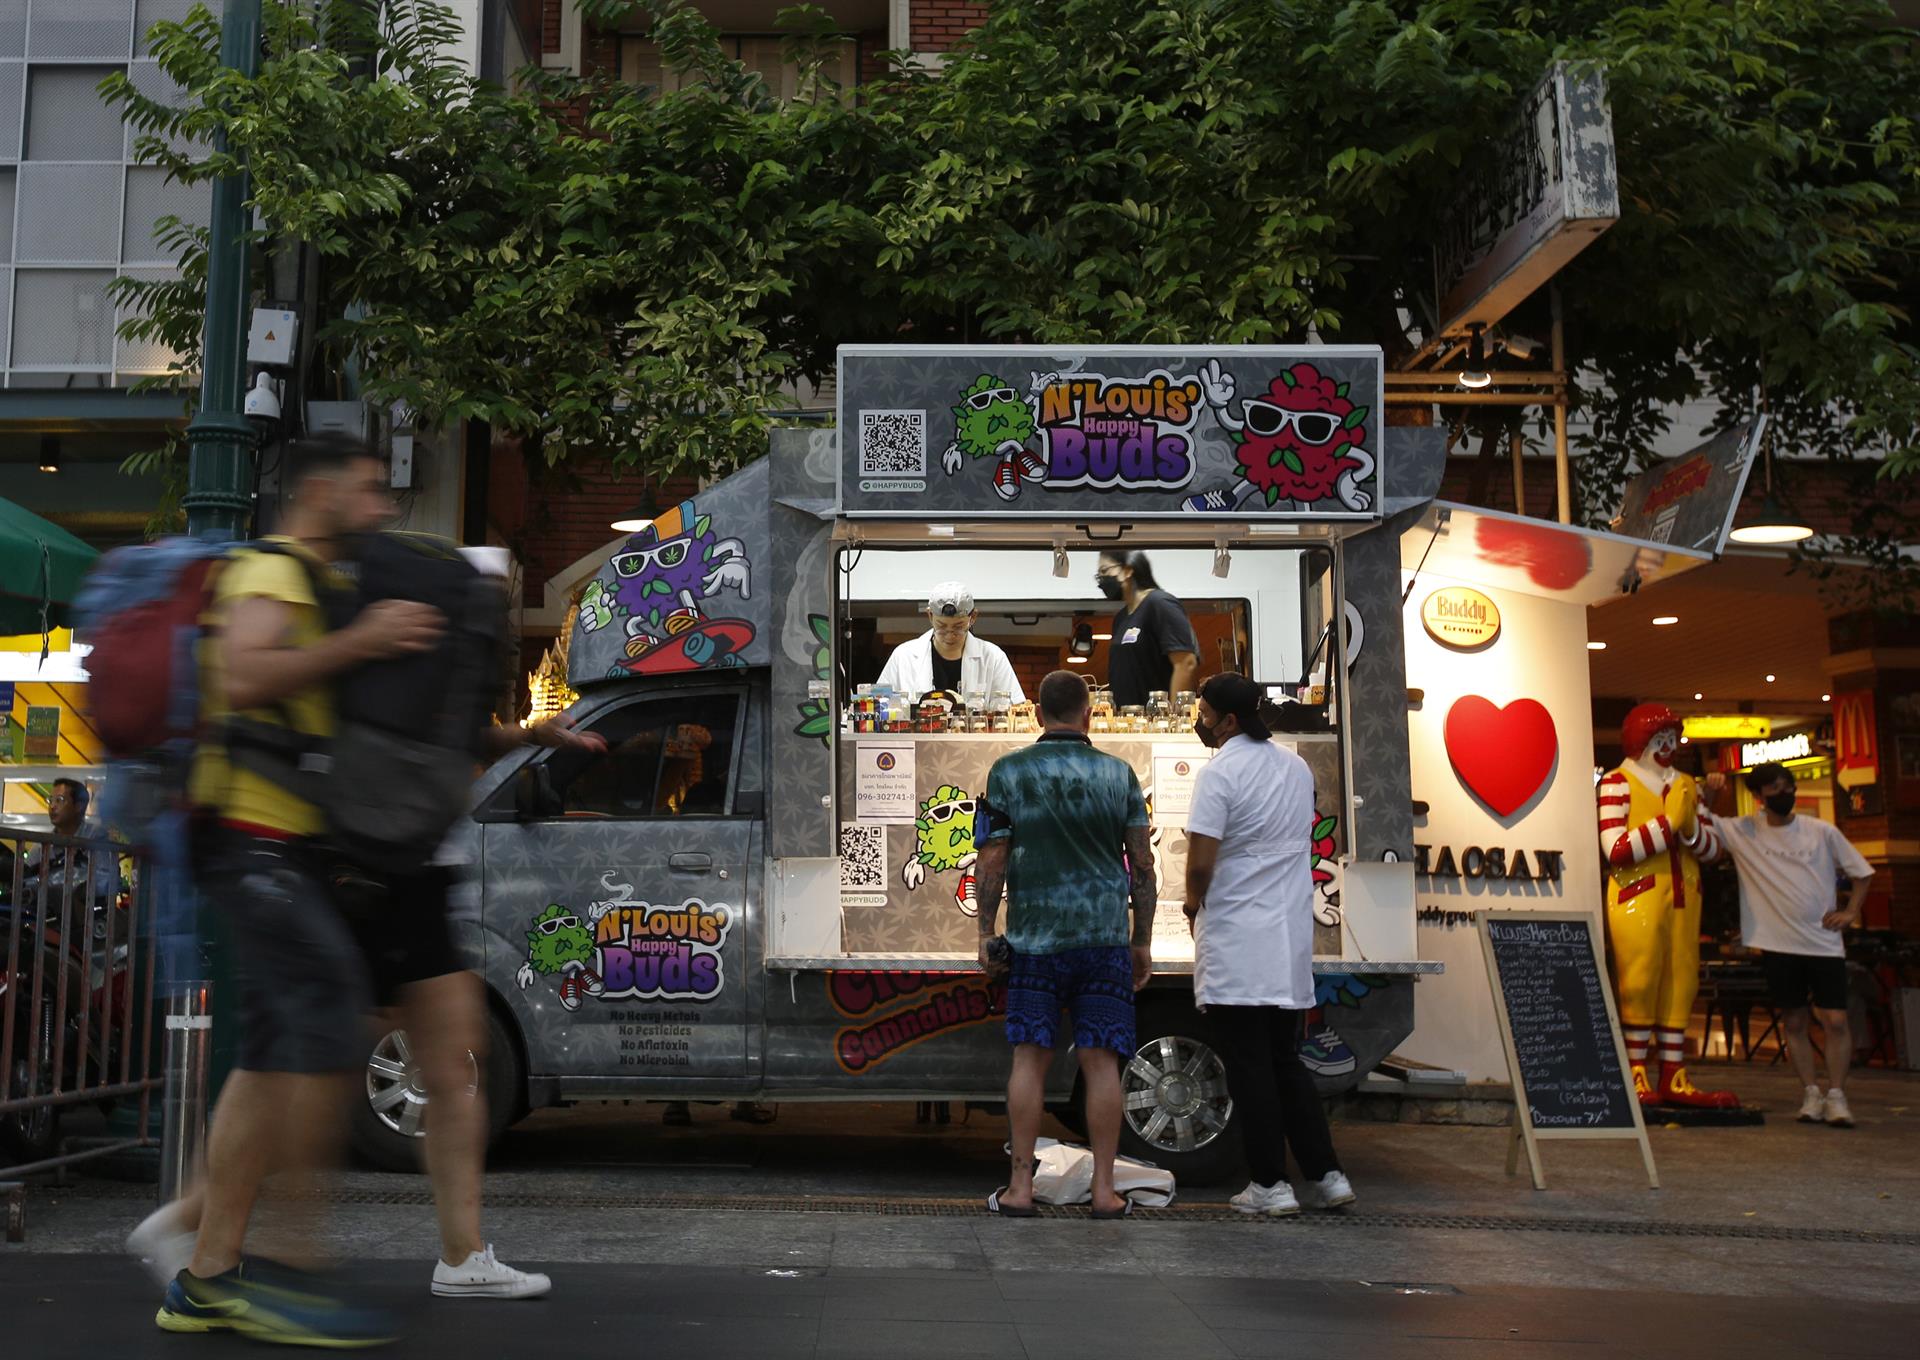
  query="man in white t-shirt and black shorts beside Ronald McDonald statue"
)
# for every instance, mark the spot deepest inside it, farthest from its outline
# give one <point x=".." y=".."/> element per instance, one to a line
<point x="1788" y="873"/>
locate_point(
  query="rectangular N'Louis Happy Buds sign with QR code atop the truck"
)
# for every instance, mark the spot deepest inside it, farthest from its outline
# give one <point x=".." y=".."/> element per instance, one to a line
<point x="1111" y="431"/>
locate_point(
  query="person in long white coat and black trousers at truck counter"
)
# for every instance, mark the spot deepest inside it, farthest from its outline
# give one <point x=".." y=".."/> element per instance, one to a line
<point x="1251" y="908"/>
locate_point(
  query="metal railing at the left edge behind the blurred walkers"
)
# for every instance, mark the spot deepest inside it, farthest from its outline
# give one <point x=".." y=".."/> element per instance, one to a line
<point x="76" y="996"/>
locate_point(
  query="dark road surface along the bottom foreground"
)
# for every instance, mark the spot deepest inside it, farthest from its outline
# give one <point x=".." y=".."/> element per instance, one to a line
<point x="87" y="1307"/>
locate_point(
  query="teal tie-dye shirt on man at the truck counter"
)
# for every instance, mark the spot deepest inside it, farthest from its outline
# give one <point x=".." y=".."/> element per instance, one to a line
<point x="1067" y="812"/>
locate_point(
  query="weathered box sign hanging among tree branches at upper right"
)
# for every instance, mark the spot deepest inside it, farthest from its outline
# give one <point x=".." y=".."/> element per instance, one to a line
<point x="1537" y="197"/>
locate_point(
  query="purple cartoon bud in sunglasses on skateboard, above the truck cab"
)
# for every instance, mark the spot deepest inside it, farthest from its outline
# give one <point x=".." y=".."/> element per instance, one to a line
<point x="667" y="595"/>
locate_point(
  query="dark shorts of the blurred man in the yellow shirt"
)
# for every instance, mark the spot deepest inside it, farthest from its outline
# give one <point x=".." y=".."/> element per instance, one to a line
<point x="299" y="973"/>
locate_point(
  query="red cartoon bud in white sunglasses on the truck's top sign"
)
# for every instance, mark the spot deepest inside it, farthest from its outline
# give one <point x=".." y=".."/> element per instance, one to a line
<point x="1299" y="441"/>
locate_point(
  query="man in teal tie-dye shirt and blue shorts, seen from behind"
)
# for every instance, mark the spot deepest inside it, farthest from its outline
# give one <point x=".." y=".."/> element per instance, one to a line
<point x="1068" y="846"/>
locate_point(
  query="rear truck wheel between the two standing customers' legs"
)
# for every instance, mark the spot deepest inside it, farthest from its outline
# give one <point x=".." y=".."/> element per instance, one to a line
<point x="1176" y="1111"/>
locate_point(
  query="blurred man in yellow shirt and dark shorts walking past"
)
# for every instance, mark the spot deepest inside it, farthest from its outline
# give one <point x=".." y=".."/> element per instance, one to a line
<point x="302" y="983"/>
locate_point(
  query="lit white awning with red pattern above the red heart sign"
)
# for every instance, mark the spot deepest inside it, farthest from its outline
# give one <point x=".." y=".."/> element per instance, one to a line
<point x="1537" y="558"/>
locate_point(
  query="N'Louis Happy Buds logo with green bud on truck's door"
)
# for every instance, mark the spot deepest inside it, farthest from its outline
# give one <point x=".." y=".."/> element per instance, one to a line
<point x="629" y="948"/>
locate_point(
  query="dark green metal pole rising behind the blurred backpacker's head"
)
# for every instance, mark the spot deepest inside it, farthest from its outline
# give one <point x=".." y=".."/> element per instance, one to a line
<point x="220" y="462"/>
